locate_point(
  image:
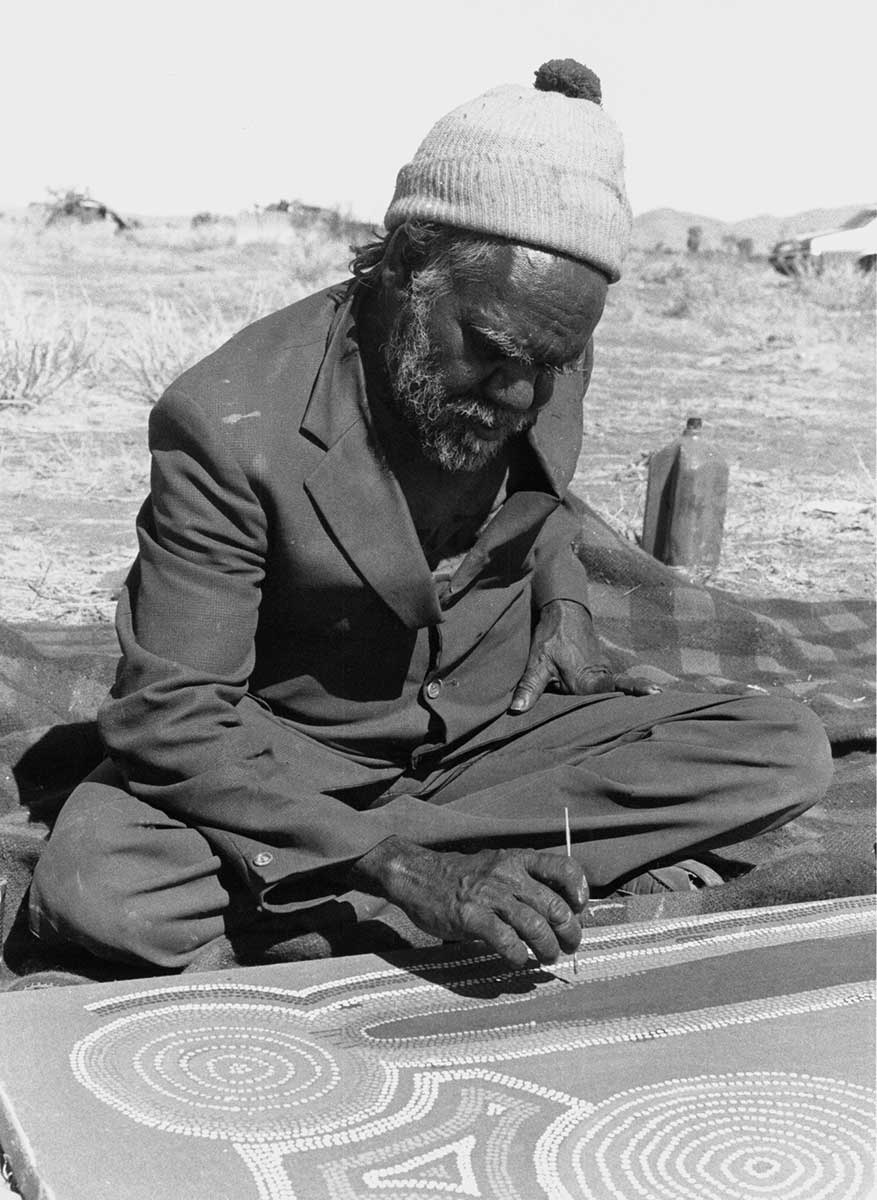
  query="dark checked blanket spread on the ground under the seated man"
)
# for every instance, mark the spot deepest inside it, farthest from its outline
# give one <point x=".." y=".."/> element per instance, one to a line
<point x="652" y="621"/>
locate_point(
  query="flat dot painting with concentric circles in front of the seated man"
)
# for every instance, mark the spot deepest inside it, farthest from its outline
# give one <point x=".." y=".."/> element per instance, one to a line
<point x="725" y="1058"/>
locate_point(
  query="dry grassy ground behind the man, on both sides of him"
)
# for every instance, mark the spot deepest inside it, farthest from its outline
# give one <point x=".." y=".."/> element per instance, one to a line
<point x="782" y="371"/>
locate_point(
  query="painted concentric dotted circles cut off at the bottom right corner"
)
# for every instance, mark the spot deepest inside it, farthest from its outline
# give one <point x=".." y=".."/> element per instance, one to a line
<point x="741" y="1137"/>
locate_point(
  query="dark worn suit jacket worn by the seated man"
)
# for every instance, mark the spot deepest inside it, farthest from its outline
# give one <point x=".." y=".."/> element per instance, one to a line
<point x="279" y="561"/>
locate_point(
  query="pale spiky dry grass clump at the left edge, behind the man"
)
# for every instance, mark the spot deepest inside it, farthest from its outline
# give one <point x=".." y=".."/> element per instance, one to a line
<point x="43" y="350"/>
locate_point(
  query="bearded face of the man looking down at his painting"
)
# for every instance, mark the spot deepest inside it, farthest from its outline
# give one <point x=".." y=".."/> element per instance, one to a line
<point x="471" y="364"/>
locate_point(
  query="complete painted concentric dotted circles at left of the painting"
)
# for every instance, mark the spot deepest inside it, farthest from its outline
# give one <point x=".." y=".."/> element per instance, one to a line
<point x="241" y="1072"/>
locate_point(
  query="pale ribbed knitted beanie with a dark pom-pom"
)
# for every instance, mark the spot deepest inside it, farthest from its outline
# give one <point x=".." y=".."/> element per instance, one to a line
<point x="543" y="166"/>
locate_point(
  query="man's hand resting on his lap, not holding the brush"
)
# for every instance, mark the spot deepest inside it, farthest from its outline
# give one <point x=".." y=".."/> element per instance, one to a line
<point x="566" y="656"/>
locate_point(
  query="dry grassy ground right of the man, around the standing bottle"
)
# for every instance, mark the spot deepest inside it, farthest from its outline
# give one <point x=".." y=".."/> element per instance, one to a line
<point x="783" y="373"/>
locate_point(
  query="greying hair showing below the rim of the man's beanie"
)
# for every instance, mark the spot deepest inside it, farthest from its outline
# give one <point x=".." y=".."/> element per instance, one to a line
<point x="438" y="250"/>
